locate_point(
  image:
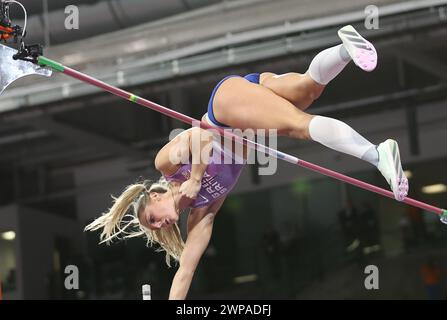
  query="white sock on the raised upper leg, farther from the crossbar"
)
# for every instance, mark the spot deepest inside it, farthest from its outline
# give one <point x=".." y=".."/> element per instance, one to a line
<point x="328" y="64"/>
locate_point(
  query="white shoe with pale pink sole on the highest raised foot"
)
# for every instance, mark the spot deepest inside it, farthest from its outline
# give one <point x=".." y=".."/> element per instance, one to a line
<point x="361" y="51"/>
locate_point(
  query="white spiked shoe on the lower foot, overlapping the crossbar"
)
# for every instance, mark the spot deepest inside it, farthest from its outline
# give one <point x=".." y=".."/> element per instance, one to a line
<point x="391" y="168"/>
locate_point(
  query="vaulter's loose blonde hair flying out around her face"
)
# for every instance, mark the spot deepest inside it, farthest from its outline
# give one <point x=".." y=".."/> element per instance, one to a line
<point x="116" y="222"/>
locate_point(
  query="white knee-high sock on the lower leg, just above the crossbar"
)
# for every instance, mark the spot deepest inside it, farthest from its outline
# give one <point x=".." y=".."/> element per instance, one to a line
<point x="339" y="136"/>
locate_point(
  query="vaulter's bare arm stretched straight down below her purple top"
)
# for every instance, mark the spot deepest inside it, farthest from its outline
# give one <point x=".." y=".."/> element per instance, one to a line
<point x="200" y="227"/>
